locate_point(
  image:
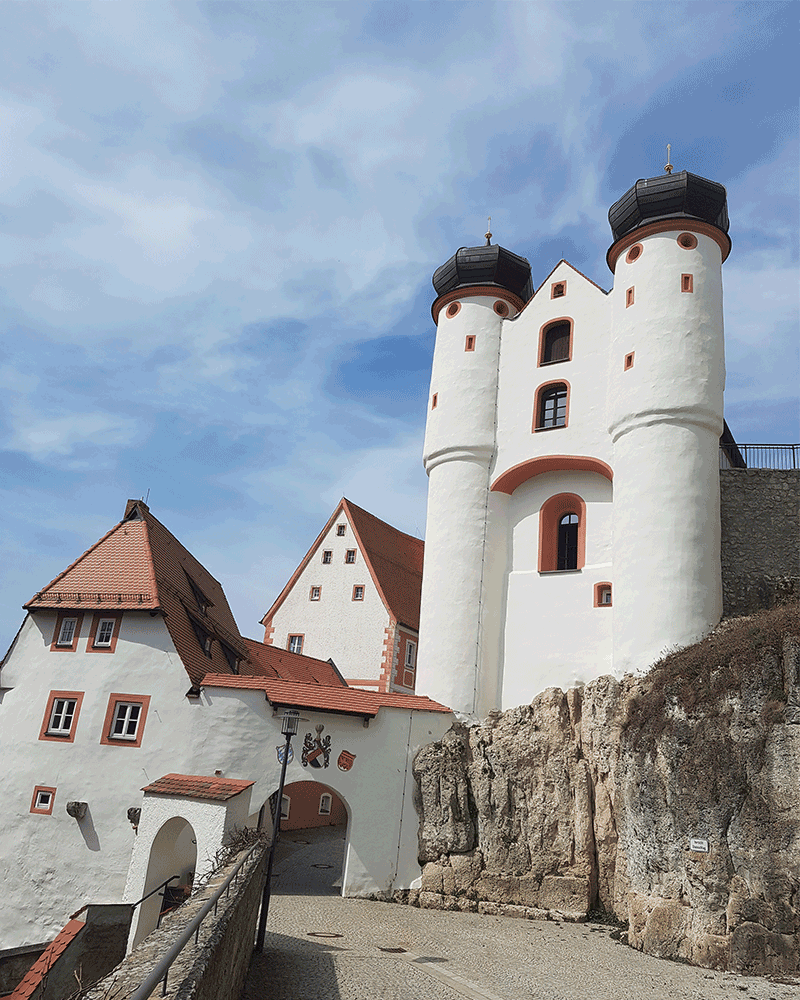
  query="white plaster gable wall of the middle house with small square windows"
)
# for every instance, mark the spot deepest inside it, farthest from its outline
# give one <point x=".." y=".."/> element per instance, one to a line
<point x="349" y="632"/>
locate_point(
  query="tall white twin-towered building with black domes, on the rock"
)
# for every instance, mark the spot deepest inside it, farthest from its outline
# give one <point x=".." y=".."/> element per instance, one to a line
<point x="572" y="445"/>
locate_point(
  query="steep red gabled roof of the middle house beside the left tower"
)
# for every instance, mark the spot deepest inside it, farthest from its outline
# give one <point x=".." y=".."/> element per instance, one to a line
<point x="394" y="560"/>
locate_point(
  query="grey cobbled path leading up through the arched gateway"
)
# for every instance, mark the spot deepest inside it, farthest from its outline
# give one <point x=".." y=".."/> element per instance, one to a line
<point x="450" y="956"/>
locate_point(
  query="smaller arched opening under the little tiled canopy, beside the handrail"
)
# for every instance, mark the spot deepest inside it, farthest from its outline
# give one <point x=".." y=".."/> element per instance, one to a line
<point x="174" y="852"/>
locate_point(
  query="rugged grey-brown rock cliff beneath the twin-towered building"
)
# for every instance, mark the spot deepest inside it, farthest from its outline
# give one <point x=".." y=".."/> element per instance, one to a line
<point x="671" y="801"/>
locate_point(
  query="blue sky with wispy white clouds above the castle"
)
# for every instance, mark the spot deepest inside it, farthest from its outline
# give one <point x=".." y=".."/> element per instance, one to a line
<point x="219" y="221"/>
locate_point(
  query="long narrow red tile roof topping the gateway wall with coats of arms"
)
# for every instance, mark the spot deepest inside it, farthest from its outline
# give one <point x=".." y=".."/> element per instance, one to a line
<point x="346" y="700"/>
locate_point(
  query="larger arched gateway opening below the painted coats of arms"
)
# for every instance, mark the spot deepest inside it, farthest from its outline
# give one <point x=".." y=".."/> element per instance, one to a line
<point x="310" y="854"/>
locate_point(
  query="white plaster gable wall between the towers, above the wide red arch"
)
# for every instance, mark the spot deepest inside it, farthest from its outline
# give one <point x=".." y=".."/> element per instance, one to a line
<point x="586" y="433"/>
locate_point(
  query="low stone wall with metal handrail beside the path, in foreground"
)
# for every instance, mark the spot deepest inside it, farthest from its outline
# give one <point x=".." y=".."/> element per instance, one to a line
<point x="215" y="969"/>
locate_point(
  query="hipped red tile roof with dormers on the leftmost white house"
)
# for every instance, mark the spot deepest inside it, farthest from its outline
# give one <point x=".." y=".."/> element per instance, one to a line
<point x="140" y="565"/>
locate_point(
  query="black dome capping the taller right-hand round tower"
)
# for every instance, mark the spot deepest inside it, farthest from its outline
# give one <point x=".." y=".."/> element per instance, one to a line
<point x="669" y="196"/>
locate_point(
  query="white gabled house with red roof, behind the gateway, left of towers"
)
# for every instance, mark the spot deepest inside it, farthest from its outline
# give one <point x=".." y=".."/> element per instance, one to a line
<point x="355" y="598"/>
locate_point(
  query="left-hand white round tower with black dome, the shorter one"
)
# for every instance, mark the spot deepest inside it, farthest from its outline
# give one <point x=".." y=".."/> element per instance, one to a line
<point x="477" y="290"/>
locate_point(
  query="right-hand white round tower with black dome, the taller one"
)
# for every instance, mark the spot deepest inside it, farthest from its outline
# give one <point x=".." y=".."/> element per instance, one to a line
<point x="667" y="375"/>
